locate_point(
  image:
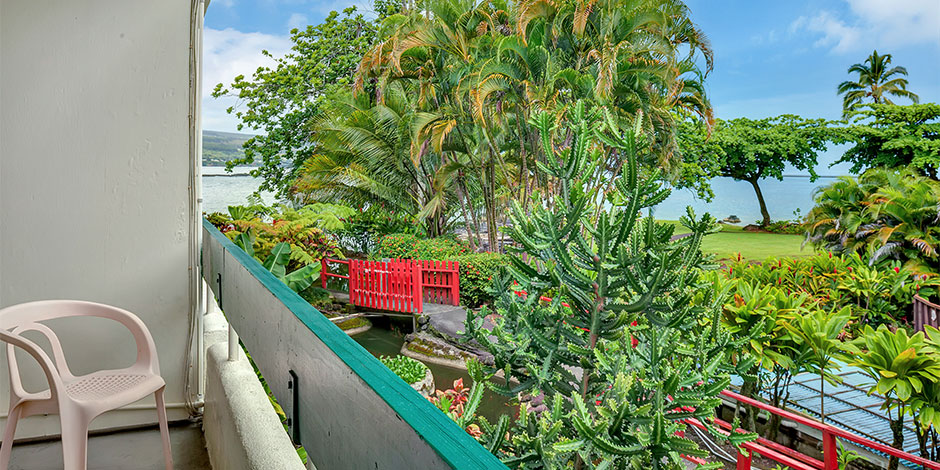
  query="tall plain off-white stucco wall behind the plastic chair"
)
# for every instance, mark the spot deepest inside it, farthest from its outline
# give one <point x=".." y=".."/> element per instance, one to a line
<point x="94" y="161"/>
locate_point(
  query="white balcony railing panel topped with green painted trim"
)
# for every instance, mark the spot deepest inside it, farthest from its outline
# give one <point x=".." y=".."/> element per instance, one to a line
<point x="345" y="407"/>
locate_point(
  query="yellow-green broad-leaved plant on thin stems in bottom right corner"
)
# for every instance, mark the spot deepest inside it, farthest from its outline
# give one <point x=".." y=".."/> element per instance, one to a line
<point x="900" y="366"/>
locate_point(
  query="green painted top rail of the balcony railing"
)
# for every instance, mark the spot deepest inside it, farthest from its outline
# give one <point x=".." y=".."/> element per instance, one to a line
<point x="453" y="444"/>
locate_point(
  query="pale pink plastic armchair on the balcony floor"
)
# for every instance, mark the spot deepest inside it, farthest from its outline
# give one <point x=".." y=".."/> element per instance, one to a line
<point x="77" y="400"/>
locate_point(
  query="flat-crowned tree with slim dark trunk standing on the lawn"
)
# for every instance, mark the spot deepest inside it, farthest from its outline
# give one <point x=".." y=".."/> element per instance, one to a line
<point x="750" y="150"/>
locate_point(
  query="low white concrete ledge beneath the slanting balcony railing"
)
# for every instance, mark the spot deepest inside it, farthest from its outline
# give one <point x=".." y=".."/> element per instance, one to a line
<point x="242" y="430"/>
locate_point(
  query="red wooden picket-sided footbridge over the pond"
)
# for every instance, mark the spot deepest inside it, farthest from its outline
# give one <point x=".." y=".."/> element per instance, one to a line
<point x="396" y="285"/>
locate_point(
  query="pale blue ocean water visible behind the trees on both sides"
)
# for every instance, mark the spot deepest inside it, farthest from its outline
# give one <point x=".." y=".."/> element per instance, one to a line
<point x="220" y="189"/>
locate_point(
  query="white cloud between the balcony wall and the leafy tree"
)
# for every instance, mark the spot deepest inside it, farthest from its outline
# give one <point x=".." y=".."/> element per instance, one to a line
<point x="226" y="54"/>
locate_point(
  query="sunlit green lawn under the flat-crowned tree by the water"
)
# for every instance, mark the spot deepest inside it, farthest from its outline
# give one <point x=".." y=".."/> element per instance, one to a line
<point x="753" y="246"/>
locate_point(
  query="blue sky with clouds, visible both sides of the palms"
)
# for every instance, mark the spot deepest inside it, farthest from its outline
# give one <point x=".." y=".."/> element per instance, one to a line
<point x="771" y="58"/>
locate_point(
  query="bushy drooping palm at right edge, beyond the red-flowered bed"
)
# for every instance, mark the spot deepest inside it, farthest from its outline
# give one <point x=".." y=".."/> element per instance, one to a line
<point x="885" y="214"/>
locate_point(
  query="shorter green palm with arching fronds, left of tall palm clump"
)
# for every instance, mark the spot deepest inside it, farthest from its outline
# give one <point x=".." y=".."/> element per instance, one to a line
<point x="363" y="157"/>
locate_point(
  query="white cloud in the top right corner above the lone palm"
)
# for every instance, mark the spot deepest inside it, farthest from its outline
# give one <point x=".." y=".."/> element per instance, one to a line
<point x="874" y="23"/>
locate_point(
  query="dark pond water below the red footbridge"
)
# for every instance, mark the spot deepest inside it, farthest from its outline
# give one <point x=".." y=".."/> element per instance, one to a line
<point x="385" y="339"/>
